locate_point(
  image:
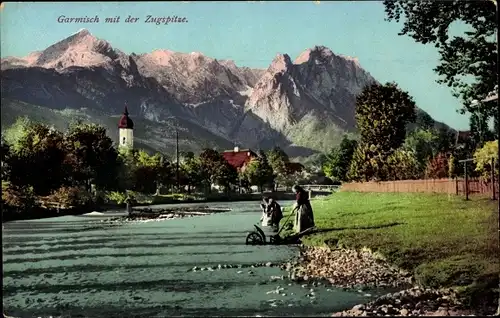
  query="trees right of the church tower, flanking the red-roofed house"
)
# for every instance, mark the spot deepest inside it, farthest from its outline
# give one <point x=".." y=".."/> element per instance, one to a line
<point x="147" y="174"/>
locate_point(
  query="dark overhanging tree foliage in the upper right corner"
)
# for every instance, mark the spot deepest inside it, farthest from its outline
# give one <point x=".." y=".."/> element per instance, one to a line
<point x="468" y="61"/>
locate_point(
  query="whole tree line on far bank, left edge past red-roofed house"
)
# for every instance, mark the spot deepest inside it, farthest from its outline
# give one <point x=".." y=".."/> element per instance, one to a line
<point x="39" y="161"/>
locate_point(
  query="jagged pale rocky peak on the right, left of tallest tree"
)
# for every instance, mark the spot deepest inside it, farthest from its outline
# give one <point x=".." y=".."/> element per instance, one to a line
<point x="319" y="85"/>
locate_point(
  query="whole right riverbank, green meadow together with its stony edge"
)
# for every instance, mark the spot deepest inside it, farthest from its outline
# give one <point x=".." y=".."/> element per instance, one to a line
<point x="438" y="252"/>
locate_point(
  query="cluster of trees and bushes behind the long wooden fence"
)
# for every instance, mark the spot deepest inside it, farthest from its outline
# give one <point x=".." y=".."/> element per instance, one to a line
<point x="388" y="150"/>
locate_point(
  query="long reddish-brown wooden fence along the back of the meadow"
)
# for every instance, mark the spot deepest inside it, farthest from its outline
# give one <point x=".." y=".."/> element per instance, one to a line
<point x="450" y="186"/>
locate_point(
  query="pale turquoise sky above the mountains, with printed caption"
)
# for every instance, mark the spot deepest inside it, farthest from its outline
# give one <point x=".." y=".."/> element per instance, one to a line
<point x="250" y="33"/>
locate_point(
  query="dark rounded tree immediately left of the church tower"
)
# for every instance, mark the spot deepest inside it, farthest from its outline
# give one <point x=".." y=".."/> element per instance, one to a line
<point x="91" y="156"/>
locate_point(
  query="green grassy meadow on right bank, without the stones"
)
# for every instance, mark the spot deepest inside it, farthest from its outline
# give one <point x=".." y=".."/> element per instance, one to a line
<point x="443" y="240"/>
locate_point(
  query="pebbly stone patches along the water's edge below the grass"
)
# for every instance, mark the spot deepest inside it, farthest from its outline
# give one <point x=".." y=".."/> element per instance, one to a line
<point x="363" y="269"/>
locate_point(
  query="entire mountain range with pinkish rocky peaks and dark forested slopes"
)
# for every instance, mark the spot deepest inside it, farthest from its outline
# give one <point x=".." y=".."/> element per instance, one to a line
<point x="303" y="106"/>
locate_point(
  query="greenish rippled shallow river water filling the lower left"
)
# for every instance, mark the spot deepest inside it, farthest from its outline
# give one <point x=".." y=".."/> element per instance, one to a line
<point x="78" y="266"/>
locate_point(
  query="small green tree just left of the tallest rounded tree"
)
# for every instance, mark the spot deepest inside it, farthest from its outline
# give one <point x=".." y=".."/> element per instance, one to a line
<point x="339" y="159"/>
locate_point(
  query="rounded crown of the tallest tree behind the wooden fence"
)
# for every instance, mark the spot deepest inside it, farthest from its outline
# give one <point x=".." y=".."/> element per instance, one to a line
<point x="382" y="113"/>
